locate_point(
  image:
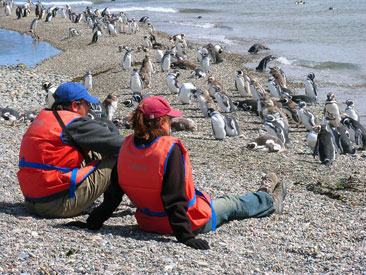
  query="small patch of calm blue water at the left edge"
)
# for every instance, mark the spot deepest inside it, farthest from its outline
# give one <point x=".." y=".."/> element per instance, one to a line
<point x="21" y="48"/>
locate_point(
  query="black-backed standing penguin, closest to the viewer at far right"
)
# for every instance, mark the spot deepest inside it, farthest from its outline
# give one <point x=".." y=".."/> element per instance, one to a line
<point x="325" y="147"/>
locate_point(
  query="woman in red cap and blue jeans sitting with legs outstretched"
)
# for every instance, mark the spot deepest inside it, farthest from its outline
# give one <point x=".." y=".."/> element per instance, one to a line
<point x="154" y="171"/>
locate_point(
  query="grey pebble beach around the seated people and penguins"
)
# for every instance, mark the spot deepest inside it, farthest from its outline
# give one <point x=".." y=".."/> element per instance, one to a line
<point x="322" y="229"/>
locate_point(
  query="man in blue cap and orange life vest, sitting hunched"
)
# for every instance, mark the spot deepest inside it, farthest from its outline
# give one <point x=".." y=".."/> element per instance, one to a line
<point x="67" y="159"/>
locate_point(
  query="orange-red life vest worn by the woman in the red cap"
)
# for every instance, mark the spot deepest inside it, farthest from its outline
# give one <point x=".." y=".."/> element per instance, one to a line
<point x="140" y="175"/>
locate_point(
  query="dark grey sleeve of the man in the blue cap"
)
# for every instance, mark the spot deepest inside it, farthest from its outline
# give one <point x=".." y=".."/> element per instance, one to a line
<point x="94" y="135"/>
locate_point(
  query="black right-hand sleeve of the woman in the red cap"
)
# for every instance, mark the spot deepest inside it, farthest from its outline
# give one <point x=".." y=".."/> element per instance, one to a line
<point x="174" y="197"/>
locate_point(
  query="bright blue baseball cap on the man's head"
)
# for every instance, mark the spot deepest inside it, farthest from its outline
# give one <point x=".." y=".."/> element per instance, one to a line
<point x="71" y="91"/>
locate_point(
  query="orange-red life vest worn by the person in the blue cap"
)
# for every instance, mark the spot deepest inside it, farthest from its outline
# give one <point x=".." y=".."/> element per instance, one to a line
<point x="47" y="164"/>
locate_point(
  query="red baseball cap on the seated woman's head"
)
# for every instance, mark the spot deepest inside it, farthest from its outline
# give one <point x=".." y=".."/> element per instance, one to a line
<point x="157" y="106"/>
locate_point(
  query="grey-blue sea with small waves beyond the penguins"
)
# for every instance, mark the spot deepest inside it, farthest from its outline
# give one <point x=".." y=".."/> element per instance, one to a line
<point x="326" y="37"/>
